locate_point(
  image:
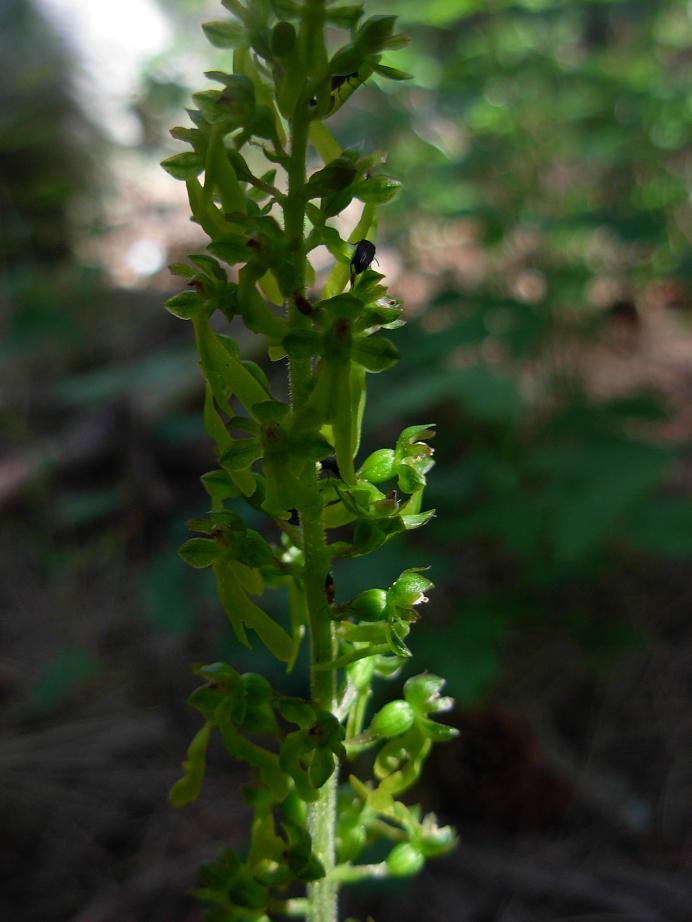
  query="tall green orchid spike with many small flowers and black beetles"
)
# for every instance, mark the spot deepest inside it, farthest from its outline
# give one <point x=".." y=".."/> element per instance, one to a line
<point x="252" y="138"/>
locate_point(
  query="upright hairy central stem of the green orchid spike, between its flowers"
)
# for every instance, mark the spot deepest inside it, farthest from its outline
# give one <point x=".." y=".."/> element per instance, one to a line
<point x="322" y="895"/>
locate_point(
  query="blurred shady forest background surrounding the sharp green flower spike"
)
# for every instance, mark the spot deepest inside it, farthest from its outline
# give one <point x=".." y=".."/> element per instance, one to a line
<point x="542" y="245"/>
